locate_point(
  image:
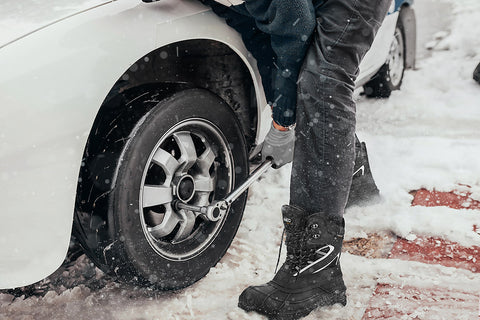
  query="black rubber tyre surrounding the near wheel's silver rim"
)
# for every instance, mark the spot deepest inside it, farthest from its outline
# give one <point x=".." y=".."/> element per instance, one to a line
<point x="138" y="256"/>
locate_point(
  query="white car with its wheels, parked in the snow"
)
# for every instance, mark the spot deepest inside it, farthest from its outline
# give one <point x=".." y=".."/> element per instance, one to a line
<point x="112" y="110"/>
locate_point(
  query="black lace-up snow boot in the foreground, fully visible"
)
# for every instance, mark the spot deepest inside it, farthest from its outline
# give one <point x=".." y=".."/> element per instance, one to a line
<point x="310" y="277"/>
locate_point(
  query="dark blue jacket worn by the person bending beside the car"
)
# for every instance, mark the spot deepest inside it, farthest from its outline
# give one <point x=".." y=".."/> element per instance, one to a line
<point x="285" y="27"/>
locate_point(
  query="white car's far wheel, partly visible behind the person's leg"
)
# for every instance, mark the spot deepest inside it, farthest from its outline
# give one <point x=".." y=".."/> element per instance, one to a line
<point x="390" y="75"/>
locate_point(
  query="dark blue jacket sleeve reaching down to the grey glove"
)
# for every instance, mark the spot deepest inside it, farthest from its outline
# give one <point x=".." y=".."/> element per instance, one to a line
<point x="290" y="24"/>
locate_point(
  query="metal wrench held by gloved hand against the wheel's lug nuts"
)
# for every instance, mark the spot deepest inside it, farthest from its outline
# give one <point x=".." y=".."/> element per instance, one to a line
<point x="217" y="209"/>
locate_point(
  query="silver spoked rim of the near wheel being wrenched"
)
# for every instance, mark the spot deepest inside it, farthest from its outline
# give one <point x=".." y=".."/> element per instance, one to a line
<point x="191" y="163"/>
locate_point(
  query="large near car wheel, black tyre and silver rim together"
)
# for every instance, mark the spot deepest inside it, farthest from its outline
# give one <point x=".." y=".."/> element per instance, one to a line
<point x="189" y="148"/>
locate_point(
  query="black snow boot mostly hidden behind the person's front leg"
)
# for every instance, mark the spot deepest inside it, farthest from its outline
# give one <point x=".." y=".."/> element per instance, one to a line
<point x="363" y="188"/>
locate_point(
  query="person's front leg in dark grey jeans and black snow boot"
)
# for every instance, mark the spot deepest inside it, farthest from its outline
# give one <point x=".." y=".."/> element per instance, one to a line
<point x="323" y="164"/>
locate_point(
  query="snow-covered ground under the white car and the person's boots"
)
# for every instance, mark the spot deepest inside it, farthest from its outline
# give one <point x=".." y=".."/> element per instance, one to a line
<point x="426" y="135"/>
